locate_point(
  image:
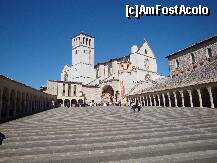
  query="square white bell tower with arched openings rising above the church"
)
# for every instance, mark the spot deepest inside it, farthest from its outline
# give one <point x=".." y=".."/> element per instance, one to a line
<point x="83" y="50"/>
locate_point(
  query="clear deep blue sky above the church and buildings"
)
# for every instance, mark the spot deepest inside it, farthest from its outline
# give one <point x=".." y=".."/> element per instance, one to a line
<point x="35" y="34"/>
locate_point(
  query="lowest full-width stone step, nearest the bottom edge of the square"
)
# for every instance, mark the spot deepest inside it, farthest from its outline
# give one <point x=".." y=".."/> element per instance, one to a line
<point x="120" y="153"/>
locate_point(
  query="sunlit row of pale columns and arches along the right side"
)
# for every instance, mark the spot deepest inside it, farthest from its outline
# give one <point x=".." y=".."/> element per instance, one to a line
<point x="203" y="96"/>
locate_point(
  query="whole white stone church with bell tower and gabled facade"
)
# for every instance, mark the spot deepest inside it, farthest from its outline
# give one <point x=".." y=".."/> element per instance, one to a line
<point x="110" y="81"/>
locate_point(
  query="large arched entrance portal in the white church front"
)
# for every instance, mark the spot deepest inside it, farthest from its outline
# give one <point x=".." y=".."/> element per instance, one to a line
<point x="107" y="93"/>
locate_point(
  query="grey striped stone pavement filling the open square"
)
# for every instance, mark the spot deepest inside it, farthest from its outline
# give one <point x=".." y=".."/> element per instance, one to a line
<point x="112" y="134"/>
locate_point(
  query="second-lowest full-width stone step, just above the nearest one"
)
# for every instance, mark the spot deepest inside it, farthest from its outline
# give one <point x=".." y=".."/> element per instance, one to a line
<point x="103" y="145"/>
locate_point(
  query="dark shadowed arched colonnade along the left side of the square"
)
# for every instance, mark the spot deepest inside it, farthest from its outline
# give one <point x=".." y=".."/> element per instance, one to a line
<point x="18" y="100"/>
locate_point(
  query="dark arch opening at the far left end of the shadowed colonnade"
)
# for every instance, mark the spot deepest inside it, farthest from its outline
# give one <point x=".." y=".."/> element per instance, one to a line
<point x="5" y="103"/>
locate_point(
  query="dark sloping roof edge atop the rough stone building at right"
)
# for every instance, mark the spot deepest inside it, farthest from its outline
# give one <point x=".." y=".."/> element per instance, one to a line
<point x="192" y="46"/>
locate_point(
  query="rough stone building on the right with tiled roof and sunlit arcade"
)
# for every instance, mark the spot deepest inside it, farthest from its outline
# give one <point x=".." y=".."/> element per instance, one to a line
<point x="192" y="81"/>
